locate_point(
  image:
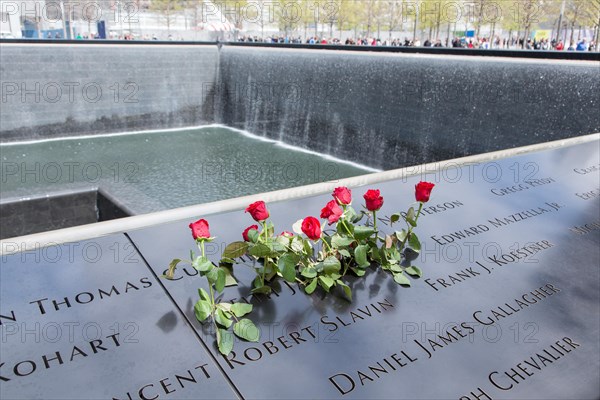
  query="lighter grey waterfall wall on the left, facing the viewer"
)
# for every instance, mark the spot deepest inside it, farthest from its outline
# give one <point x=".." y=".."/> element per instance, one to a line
<point x="62" y="89"/>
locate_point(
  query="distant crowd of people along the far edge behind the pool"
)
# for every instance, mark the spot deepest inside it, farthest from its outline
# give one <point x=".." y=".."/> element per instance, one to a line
<point x="456" y="42"/>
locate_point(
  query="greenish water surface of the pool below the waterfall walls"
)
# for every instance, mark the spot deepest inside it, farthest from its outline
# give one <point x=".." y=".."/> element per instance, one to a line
<point x="154" y="171"/>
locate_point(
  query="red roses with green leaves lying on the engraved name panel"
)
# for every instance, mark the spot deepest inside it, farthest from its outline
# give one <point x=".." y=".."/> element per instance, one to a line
<point x="317" y="255"/>
